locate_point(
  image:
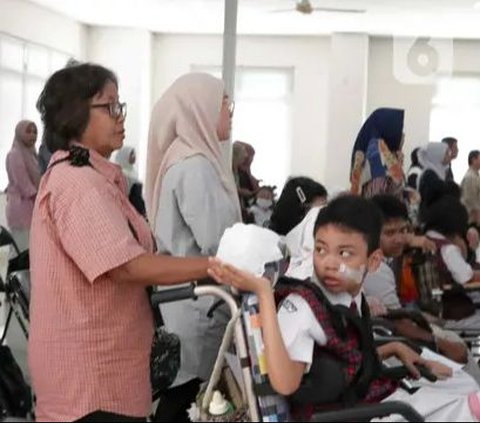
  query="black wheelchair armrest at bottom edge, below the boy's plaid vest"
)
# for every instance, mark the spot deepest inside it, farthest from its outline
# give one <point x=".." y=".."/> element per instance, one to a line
<point x="369" y="412"/>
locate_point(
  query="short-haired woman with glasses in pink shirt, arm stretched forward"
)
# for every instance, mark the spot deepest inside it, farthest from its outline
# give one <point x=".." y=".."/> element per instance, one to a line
<point x="92" y="257"/>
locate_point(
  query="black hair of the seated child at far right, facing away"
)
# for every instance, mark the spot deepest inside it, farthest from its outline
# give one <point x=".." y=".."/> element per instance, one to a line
<point x="447" y="216"/>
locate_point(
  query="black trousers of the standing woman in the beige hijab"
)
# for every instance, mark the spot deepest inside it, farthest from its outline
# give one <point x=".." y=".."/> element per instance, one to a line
<point x="175" y="402"/>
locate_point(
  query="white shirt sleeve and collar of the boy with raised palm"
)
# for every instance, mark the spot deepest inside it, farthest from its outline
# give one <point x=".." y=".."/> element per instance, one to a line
<point x="299" y="327"/>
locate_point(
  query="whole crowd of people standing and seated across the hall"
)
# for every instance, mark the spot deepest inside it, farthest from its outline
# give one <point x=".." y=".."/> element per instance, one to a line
<point x="98" y="239"/>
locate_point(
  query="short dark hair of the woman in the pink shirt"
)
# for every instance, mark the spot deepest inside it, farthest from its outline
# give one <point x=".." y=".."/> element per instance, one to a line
<point x="64" y="103"/>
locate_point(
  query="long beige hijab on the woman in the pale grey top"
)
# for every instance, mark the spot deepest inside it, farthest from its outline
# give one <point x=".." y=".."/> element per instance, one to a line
<point x="184" y="124"/>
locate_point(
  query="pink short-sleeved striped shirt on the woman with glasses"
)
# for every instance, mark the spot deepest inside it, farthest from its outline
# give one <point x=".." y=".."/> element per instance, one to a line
<point x="90" y="335"/>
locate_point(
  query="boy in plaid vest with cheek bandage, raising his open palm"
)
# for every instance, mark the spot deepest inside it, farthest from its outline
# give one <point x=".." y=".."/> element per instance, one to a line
<point x="328" y="316"/>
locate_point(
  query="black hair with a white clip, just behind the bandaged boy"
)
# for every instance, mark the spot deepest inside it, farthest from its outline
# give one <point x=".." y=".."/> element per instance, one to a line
<point x="294" y="203"/>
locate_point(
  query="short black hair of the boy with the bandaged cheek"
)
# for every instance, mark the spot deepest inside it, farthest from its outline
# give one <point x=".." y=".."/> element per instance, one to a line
<point x="356" y="214"/>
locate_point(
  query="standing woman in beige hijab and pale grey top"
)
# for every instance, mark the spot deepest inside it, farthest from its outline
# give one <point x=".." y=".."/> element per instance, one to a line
<point x="191" y="199"/>
